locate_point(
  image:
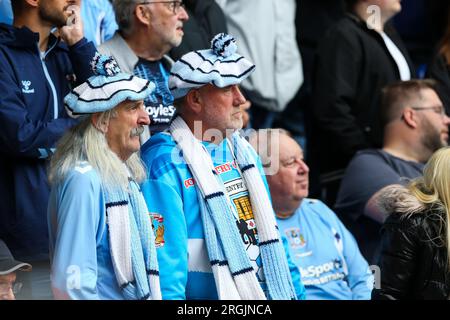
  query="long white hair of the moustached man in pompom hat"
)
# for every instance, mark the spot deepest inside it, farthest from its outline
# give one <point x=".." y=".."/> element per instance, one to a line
<point x="84" y="142"/>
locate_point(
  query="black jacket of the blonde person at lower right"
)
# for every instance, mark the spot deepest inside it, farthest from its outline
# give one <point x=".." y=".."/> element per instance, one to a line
<point x="413" y="262"/>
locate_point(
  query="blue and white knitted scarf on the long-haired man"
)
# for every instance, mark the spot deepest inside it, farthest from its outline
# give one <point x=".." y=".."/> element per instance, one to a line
<point x="132" y="243"/>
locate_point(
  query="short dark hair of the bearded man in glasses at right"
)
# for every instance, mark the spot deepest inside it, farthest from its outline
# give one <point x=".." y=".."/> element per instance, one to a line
<point x="396" y="95"/>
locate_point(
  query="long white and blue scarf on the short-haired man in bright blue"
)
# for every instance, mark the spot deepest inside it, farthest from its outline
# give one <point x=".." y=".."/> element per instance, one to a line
<point x="234" y="276"/>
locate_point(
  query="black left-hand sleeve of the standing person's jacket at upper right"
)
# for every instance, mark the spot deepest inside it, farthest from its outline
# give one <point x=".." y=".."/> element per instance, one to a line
<point x="338" y="63"/>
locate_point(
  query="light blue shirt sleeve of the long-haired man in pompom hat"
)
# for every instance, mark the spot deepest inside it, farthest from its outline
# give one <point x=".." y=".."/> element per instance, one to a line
<point x="79" y="210"/>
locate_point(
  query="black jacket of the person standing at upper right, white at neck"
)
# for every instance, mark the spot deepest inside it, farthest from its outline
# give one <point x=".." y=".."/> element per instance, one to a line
<point x="353" y="64"/>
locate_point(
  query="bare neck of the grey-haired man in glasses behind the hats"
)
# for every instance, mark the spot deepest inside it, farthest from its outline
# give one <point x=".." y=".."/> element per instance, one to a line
<point x="146" y="46"/>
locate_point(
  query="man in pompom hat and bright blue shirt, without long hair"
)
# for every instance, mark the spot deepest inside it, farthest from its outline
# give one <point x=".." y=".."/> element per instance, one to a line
<point x="218" y="237"/>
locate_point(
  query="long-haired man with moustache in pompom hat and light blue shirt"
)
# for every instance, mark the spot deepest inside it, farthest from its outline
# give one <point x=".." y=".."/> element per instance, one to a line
<point x="101" y="240"/>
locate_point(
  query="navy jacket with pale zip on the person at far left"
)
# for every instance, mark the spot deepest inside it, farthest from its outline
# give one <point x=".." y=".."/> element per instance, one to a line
<point x="32" y="119"/>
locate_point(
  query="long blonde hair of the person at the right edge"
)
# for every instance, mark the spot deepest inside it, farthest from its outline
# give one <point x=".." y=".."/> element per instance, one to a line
<point x="433" y="189"/>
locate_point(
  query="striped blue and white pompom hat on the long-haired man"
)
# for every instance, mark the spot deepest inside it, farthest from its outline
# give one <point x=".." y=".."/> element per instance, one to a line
<point x="106" y="89"/>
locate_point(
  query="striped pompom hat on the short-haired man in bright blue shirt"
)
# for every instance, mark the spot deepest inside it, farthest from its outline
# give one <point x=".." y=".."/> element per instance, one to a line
<point x="220" y="66"/>
